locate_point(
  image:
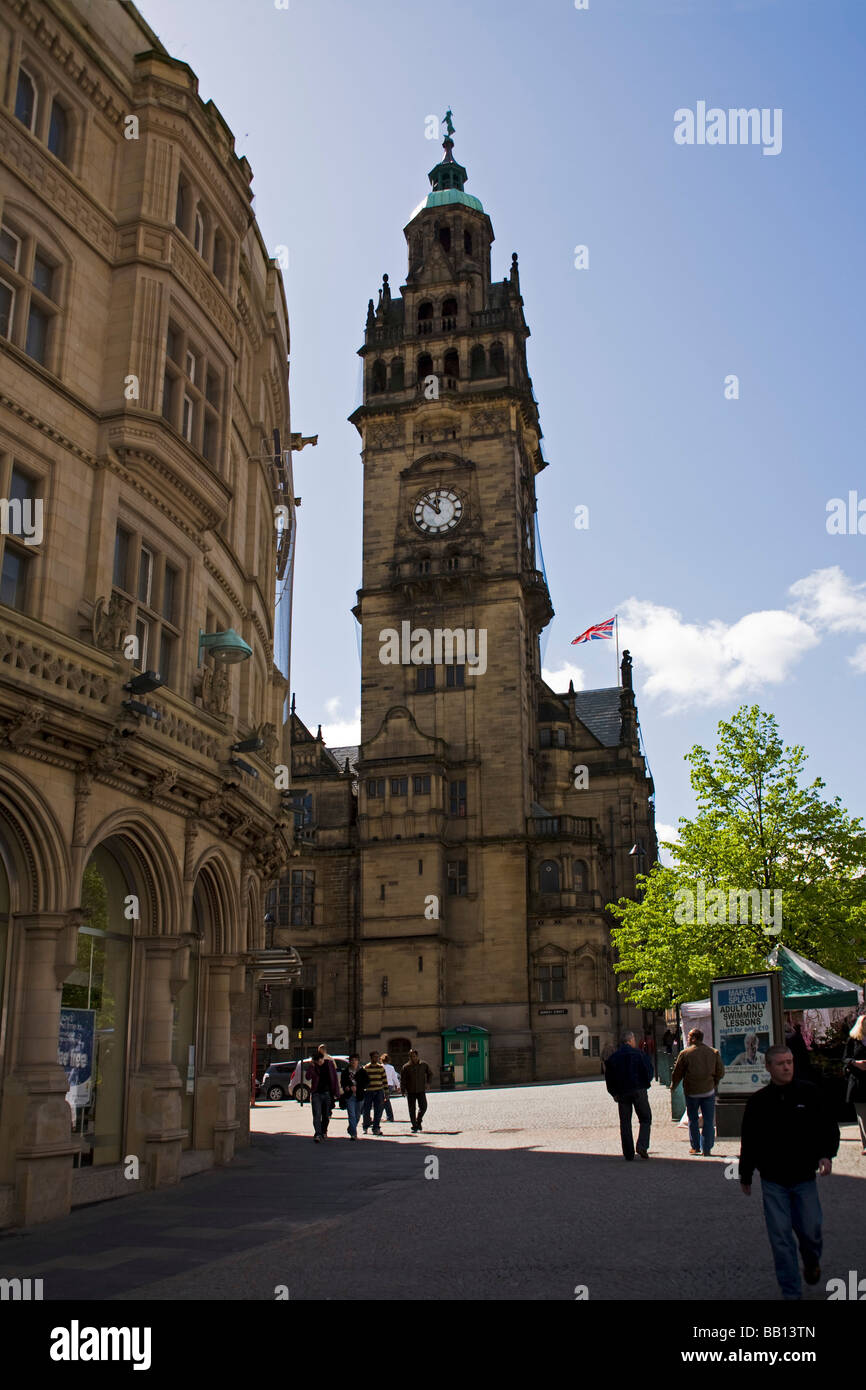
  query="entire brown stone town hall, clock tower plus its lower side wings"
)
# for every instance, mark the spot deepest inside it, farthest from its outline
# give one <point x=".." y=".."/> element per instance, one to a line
<point x="494" y="817"/>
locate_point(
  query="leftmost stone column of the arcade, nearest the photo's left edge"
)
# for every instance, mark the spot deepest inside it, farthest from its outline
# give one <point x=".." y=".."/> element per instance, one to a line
<point x="35" y="1115"/>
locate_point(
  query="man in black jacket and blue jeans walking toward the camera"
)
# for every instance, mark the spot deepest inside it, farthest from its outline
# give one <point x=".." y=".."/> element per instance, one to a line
<point x="789" y="1132"/>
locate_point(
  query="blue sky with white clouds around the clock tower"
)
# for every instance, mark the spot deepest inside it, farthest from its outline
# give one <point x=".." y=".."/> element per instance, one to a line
<point x="698" y="373"/>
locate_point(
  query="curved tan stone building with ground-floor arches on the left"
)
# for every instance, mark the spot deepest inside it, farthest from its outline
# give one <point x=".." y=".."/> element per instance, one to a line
<point x="144" y="343"/>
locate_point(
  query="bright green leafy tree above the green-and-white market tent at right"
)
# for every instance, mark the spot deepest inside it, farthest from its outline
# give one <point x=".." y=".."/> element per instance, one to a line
<point x="758" y="826"/>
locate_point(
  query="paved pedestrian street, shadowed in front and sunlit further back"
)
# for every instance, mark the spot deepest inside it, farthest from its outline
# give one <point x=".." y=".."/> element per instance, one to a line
<point x="532" y="1199"/>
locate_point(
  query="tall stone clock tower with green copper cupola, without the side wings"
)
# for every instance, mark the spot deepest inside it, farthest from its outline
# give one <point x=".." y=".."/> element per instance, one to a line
<point x="451" y="610"/>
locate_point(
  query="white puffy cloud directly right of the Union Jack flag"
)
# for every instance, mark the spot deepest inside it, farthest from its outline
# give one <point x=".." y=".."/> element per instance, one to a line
<point x="710" y="664"/>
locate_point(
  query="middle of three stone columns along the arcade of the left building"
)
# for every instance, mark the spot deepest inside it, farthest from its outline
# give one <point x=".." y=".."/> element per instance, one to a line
<point x="156" y="1089"/>
